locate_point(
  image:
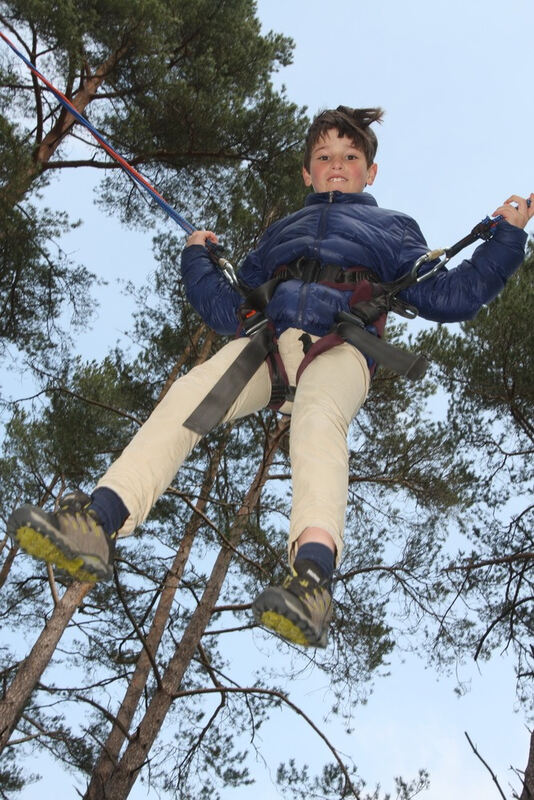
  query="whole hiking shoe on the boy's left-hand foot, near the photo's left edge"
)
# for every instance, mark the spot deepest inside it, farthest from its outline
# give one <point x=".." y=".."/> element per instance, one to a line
<point x="71" y="538"/>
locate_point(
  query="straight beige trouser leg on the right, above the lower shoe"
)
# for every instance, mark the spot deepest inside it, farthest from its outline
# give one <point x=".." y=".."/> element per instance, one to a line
<point x="330" y="392"/>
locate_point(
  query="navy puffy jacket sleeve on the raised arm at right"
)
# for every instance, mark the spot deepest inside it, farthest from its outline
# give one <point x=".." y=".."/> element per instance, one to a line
<point x="459" y="293"/>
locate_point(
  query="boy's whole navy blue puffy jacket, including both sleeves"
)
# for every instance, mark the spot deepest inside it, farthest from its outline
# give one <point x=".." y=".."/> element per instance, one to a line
<point x="350" y="230"/>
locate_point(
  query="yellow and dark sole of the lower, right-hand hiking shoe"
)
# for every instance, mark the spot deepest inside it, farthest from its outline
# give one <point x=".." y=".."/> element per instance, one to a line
<point x="272" y="612"/>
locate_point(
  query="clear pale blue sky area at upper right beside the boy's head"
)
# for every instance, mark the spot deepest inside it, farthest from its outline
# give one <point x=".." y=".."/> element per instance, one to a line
<point x="453" y="78"/>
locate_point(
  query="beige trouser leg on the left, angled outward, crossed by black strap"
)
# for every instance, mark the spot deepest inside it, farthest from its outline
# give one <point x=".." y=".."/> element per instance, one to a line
<point x="149" y="463"/>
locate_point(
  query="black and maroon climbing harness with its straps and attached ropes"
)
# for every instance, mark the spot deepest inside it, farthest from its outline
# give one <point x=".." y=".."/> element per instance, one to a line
<point x="370" y="309"/>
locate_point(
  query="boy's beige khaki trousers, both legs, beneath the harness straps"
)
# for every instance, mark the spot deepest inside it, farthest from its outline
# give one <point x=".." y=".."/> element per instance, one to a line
<point x="330" y="392"/>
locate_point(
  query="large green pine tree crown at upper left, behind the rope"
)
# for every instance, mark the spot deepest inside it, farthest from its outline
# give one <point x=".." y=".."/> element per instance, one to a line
<point x="181" y="90"/>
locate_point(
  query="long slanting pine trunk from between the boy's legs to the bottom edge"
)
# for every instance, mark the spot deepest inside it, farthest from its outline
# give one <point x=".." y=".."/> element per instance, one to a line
<point x="127" y="769"/>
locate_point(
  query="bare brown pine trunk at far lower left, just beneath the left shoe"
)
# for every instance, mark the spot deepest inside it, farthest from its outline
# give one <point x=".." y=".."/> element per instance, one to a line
<point x="31" y="669"/>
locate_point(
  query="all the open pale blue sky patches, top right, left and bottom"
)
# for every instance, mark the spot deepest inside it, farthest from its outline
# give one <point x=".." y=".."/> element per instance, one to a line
<point x="456" y="141"/>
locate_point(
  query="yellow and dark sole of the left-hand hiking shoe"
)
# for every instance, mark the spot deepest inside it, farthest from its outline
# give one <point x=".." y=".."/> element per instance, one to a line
<point x="43" y="544"/>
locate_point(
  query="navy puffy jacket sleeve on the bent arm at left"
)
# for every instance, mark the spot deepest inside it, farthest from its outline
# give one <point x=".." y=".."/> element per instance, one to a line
<point x="208" y="291"/>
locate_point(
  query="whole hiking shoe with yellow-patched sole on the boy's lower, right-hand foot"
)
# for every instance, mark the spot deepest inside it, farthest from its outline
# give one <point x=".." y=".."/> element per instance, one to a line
<point x="299" y="610"/>
